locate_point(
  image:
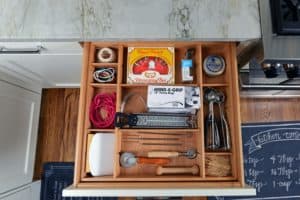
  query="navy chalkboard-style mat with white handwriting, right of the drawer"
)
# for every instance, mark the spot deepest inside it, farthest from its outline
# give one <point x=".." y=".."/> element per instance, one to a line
<point x="271" y="160"/>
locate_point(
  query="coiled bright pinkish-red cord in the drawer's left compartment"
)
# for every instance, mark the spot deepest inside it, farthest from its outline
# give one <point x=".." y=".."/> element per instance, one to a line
<point x="103" y="103"/>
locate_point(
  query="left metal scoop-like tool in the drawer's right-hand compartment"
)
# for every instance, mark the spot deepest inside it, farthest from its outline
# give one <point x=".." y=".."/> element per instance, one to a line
<point x="212" y="137"/>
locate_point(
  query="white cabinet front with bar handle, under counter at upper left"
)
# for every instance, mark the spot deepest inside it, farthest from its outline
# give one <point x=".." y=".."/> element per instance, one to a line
<point x="58" y="64"/>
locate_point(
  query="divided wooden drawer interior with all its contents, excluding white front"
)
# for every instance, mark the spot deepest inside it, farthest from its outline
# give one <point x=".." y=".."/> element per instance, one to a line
<point x="198" y="143"/>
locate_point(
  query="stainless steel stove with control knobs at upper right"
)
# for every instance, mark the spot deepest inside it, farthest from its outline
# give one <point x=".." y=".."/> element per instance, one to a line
<point x="280" y="25"/>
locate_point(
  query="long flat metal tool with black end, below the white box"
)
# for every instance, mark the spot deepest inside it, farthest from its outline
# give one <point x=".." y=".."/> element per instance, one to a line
<point x="155" y="120"/>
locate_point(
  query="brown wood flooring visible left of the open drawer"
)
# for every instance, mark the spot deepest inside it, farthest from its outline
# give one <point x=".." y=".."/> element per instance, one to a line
<point x="57" y="127"/>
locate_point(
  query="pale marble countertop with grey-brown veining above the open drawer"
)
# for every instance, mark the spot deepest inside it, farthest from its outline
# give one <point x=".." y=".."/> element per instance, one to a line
<point x="129" y="19"/>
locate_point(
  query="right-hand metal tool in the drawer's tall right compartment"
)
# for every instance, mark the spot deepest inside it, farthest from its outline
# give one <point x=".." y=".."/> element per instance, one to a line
<point x="224" y="128"/>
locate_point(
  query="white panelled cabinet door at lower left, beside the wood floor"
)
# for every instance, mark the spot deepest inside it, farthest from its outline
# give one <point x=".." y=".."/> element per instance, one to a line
<point x="19" y="114"/>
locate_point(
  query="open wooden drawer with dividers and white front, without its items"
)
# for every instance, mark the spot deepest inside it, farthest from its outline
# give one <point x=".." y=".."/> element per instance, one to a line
<point x="220" y="172"/>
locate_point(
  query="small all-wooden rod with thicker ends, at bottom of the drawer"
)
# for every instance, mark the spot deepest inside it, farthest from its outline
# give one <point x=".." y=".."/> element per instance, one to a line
<point x="194" y="170"/>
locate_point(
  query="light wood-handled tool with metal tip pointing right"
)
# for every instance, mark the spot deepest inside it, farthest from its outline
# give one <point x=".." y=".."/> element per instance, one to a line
<point x="190" y="154"/>
